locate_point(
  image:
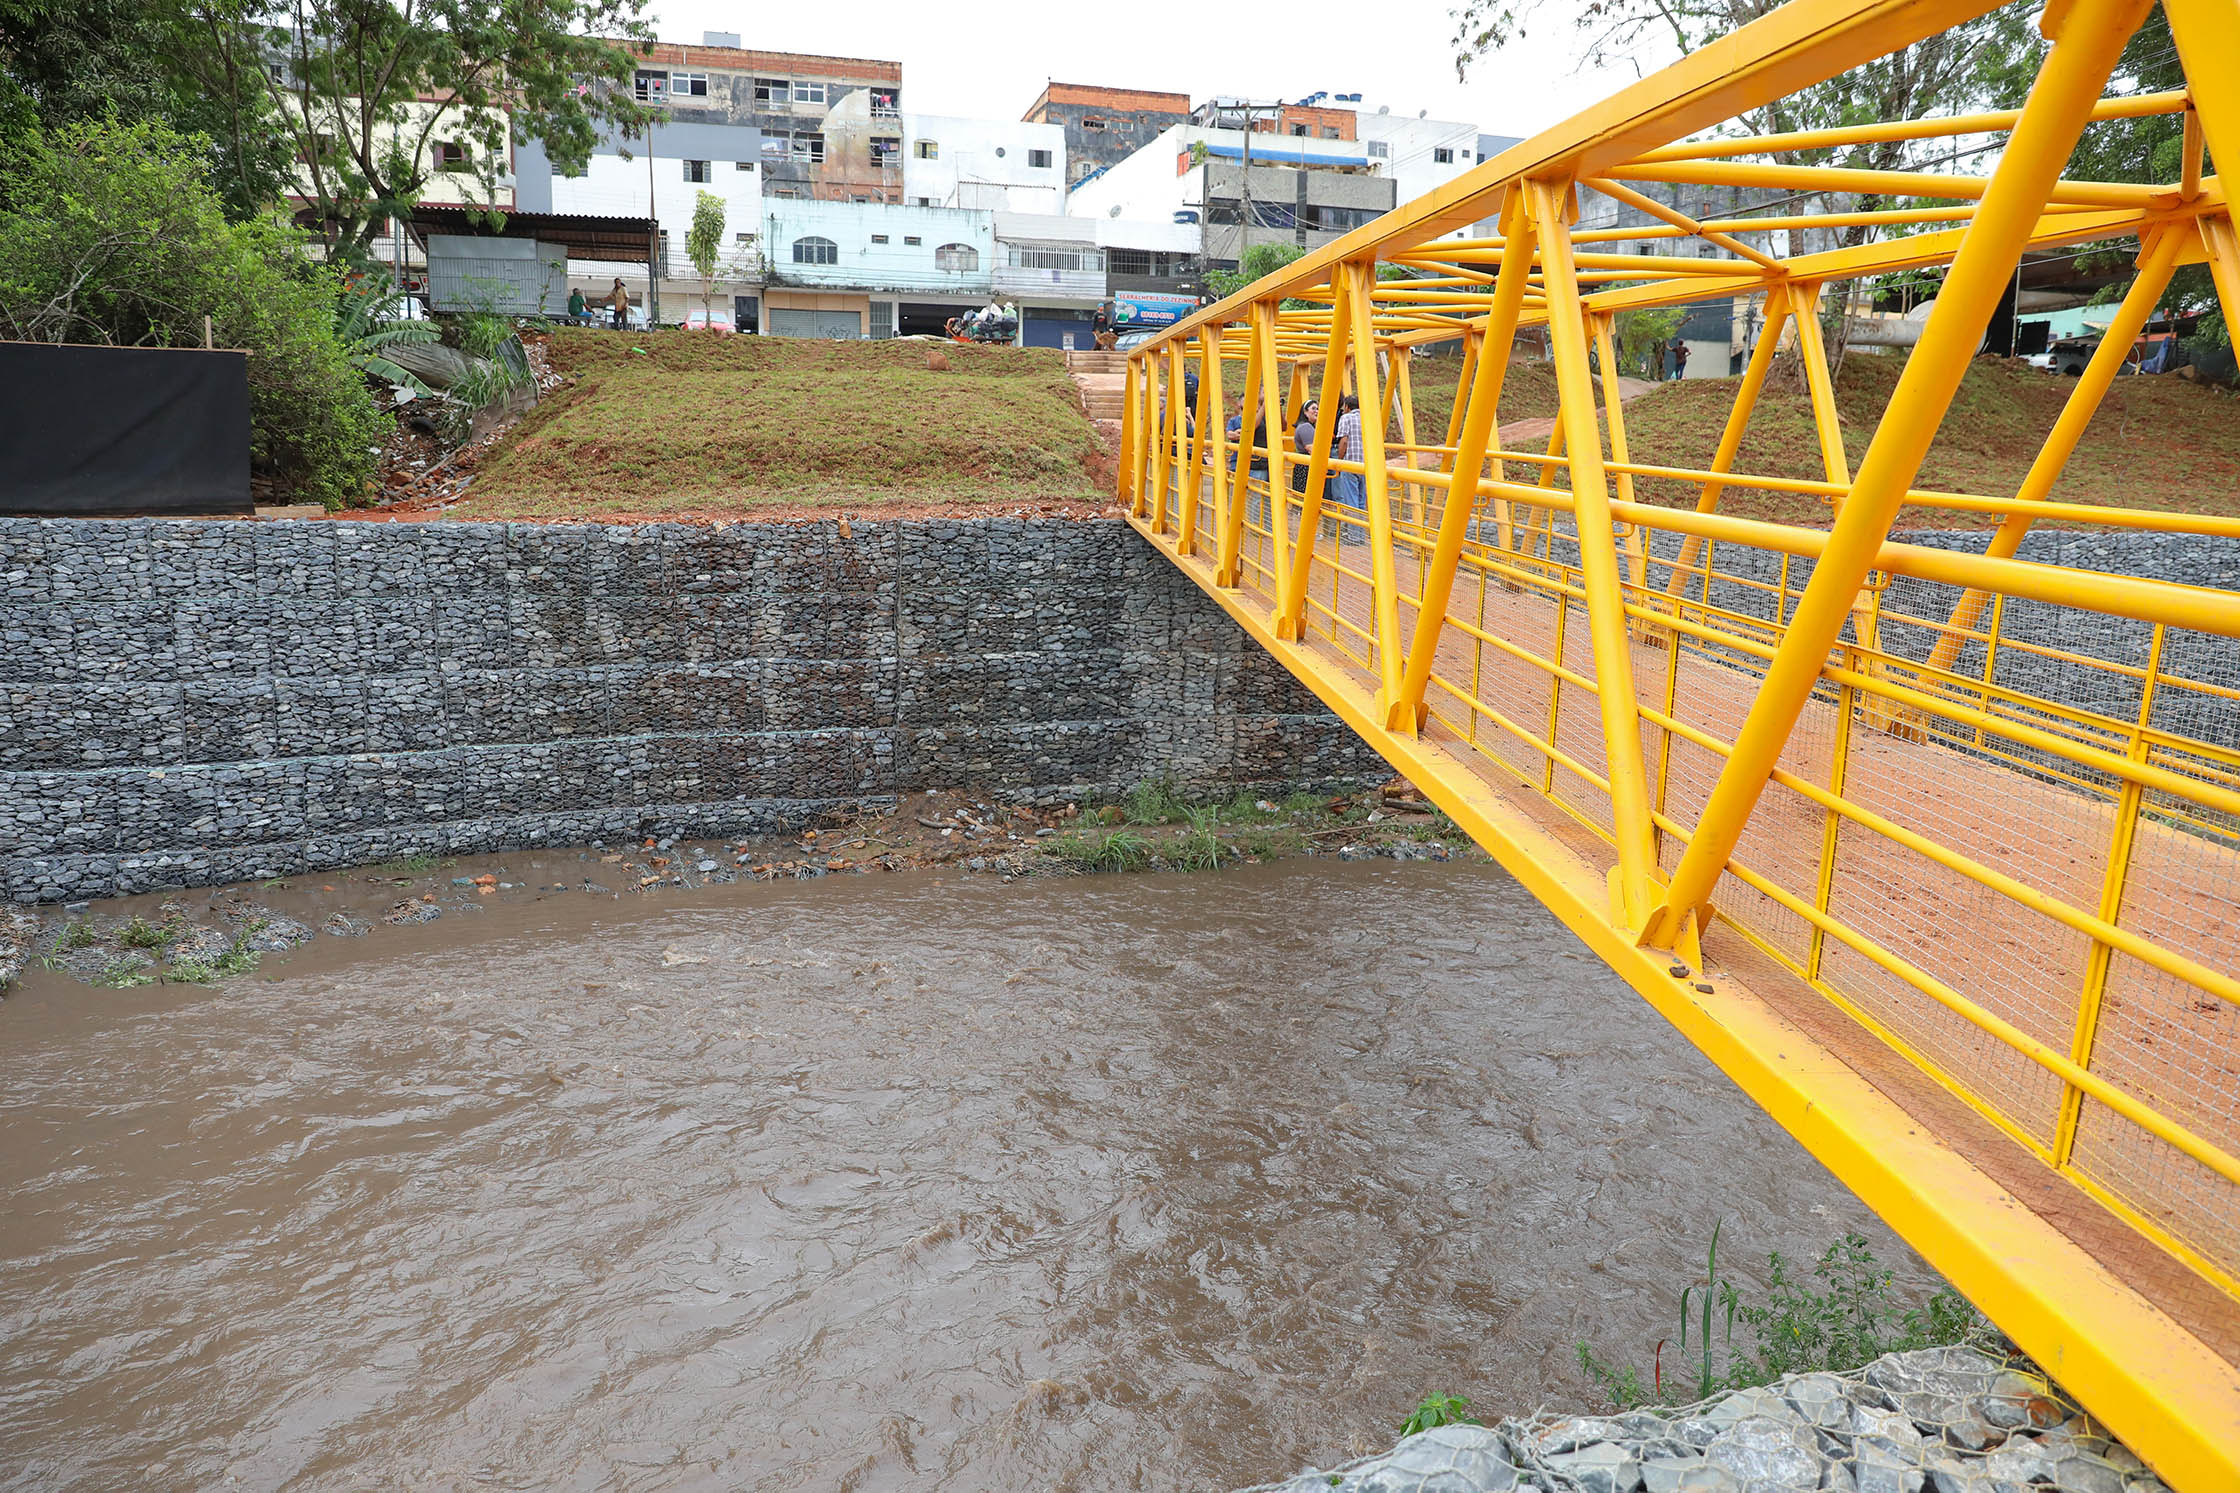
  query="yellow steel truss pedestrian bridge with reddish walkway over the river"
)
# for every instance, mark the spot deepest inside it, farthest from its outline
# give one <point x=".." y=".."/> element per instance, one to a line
<point x="1936" y="854"/>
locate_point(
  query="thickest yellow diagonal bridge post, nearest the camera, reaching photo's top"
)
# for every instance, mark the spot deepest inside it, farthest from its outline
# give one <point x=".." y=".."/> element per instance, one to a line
<point x="2091" y="37"/>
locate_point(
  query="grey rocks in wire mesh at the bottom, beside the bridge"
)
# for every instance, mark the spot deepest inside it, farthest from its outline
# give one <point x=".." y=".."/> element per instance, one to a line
<point x="1943" y="1420"/>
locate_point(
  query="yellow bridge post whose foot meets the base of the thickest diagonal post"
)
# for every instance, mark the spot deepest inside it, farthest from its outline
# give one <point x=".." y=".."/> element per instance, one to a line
<point x="1598" y="558"/>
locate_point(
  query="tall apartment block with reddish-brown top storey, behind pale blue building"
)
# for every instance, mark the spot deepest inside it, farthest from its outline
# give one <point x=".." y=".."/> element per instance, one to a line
<point x="830" y="126"/>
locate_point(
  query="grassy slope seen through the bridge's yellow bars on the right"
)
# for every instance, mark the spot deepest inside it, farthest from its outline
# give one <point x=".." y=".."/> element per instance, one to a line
<point x="2154" y="444"/>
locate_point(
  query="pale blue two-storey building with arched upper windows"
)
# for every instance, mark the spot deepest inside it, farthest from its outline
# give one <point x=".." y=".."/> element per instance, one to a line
<point x="857" y="270"/>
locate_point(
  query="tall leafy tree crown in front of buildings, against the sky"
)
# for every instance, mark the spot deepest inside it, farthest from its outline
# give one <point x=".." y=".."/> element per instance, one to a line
<point x="375" y="97"/>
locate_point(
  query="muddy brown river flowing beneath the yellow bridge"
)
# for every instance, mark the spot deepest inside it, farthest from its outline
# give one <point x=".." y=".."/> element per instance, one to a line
<point x="908" y="1183"/>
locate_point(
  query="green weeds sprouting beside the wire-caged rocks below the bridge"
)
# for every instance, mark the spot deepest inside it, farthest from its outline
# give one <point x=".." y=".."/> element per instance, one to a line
<point x="1842" y="1317"/>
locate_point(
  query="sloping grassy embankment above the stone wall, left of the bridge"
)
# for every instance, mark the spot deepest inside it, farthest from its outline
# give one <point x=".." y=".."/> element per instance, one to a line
<point x="680" y="422"/>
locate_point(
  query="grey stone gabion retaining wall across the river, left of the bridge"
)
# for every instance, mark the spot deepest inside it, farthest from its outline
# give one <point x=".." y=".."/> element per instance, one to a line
<point x="214" y="702"/>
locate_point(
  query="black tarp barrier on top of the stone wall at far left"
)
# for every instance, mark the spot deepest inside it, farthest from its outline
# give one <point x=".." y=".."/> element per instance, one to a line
<point x="118" y="431"/>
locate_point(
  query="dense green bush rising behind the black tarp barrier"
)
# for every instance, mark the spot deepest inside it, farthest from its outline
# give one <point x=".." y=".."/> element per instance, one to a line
<point x="115" y="236"/>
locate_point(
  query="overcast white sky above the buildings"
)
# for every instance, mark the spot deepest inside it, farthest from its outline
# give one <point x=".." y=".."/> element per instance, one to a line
<point x="991" y="62"/>
